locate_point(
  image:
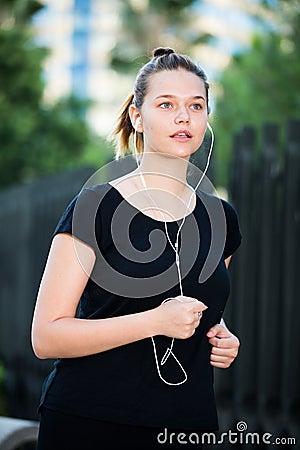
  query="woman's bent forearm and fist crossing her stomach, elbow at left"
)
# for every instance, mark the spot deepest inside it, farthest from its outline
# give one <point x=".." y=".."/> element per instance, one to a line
<point x="69" y="337"/>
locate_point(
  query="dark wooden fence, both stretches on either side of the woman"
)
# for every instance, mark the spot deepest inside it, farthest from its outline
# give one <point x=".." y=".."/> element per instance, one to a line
<point x="262" y="387"/>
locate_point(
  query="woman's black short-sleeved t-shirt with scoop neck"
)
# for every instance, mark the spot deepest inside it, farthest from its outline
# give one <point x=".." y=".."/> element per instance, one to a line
<point x="135" y="271"/>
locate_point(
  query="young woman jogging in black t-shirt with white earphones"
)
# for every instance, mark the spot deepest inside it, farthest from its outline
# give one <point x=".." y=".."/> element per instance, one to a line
<point x="145" y="257"/>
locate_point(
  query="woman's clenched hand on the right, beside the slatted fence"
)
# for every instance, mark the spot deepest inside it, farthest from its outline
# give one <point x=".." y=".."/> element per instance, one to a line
<point x="225" y="346"/>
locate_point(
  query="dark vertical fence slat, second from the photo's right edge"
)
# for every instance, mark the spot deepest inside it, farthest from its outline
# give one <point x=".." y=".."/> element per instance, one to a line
<point x="268" y="293"/>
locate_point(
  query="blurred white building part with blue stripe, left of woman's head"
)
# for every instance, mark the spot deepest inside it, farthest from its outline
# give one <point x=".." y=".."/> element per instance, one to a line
<point x="80" y="35"/>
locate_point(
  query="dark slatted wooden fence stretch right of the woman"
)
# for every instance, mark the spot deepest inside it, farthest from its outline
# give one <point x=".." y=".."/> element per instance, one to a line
<point x="262" y="388"/>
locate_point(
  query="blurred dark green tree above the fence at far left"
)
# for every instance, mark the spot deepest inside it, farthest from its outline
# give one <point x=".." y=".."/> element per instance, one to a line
<point x="36" y="138"/>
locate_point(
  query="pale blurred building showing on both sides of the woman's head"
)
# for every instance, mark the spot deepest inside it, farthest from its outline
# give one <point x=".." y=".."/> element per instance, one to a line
<point x="81" y="33"/>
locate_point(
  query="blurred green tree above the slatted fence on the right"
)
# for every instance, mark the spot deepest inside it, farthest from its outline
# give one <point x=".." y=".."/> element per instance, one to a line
<point x="260" y="85"/>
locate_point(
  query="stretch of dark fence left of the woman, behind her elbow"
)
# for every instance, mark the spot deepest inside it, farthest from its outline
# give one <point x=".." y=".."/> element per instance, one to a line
<point x="28" y="215"/>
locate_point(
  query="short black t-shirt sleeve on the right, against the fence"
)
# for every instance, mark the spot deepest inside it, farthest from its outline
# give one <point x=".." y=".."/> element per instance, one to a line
<point x="233" y="234"/>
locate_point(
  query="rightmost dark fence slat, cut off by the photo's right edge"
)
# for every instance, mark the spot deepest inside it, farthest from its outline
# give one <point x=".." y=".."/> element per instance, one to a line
<point x="290" y="368"/>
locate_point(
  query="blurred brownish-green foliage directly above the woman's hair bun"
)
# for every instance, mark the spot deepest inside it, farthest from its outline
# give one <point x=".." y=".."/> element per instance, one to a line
<point x="146" y="24"/>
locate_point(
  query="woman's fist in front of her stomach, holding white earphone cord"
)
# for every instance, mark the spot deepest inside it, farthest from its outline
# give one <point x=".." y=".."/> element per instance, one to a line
<point x="179" y="317"/>
